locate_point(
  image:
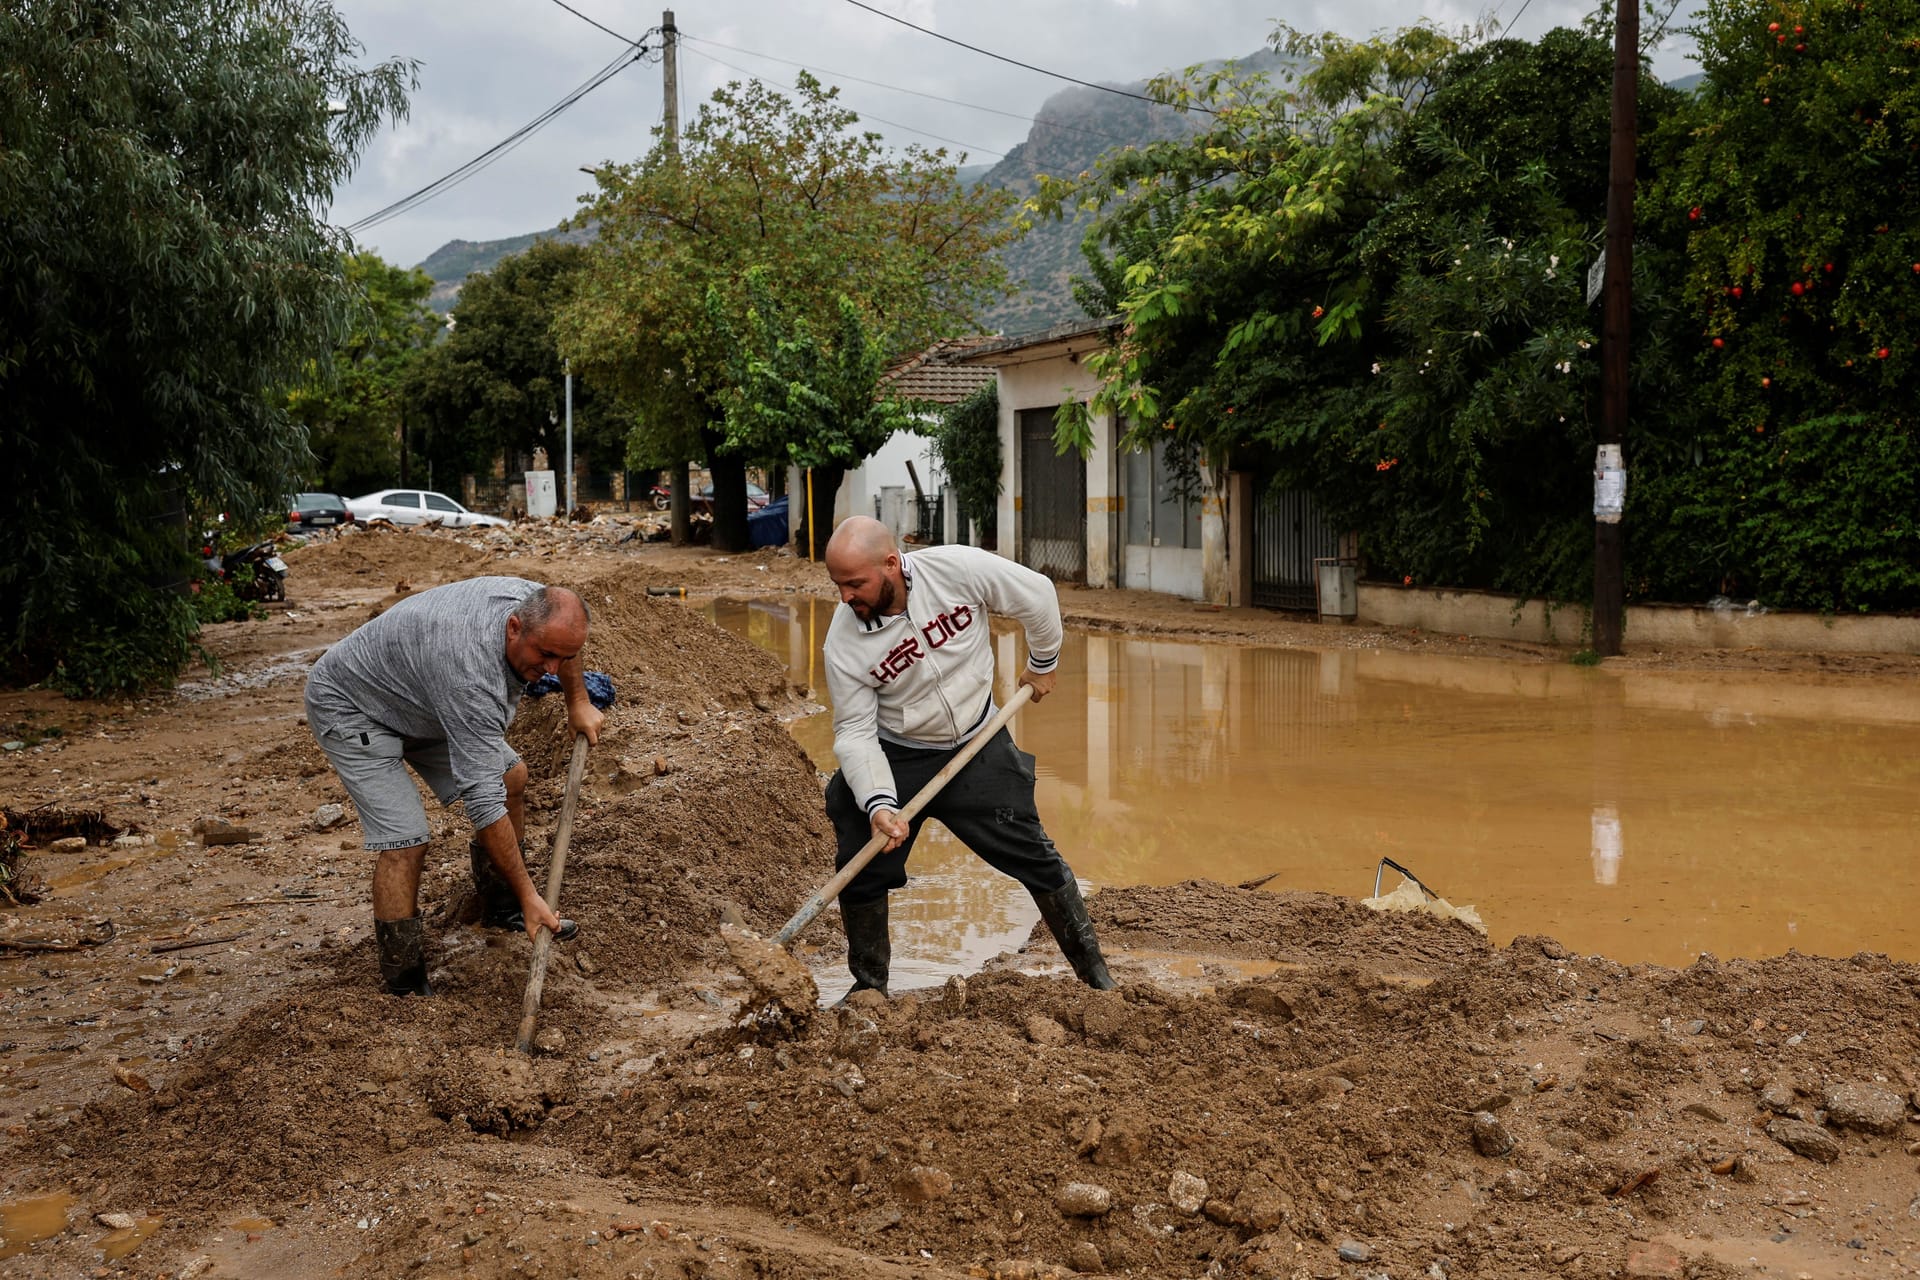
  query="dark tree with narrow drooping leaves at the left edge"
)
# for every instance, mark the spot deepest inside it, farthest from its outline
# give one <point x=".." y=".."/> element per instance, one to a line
<point x="164" y="281"/>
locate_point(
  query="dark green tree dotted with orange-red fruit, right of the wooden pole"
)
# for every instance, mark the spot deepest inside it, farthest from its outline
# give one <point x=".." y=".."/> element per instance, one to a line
<point x="1792" y="176"/>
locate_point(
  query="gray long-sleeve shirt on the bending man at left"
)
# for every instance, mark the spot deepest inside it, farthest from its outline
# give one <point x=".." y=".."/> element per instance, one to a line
<point x="435" y="669"/>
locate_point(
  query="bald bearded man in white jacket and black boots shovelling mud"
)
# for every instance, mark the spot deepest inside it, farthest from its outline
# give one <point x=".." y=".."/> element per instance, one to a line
<point x="911" y="673"/>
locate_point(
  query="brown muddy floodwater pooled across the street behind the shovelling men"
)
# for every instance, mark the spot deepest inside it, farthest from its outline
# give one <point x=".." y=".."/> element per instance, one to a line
<point x="1648" y="817"/>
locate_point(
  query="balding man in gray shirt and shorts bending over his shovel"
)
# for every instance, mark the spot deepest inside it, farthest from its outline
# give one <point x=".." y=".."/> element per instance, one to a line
<point x="435" y="684"/>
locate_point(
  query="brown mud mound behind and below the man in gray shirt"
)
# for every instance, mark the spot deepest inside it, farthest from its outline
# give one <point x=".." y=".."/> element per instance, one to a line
<point x="696" y="807"/>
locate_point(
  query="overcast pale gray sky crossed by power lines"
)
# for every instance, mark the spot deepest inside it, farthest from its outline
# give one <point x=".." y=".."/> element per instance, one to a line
<point x="489" y="68"/>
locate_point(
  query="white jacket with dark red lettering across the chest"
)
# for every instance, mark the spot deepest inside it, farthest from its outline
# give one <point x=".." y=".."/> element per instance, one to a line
<point x="924" y="678"/>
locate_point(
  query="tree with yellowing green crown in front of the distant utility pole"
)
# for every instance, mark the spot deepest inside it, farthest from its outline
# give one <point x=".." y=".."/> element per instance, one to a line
<point x="790" y="187"/>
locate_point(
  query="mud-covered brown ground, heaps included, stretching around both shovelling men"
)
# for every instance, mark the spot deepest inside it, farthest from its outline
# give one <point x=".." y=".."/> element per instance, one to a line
<point x="1333" y="1095"/>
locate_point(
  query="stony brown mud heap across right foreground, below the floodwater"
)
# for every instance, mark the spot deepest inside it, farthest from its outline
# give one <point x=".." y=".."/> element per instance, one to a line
<point x="1520" y="1114"/>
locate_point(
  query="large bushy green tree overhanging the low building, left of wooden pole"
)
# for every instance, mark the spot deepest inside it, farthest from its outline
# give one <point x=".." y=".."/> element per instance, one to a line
<point x="1370" y="285"/>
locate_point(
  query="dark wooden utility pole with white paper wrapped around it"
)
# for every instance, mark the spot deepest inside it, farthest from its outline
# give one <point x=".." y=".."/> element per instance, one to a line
<point x="1610" y="463"/>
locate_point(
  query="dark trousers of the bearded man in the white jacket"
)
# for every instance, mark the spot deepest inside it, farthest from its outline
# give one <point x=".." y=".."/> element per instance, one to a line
<point x="988" y="807"/>
